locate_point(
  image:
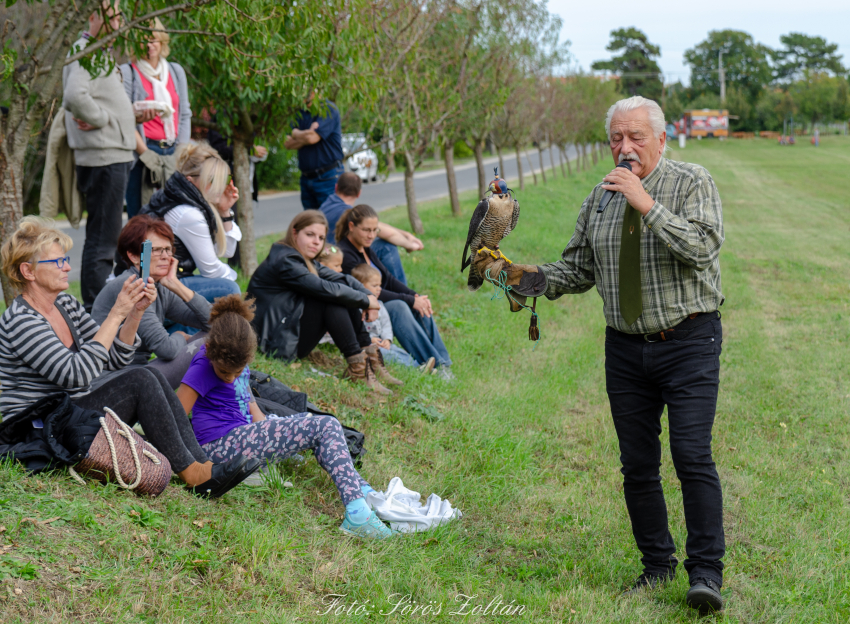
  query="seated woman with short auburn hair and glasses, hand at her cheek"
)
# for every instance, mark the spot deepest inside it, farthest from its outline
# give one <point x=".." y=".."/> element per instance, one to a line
<point x="174" y="301"/>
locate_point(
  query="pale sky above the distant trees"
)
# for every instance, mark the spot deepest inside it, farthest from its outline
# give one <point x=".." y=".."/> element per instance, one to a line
<point x="678" y="26"/>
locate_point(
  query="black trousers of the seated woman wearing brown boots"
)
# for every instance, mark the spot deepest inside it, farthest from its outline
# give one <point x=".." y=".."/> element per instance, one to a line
<point x="344" y="324"/>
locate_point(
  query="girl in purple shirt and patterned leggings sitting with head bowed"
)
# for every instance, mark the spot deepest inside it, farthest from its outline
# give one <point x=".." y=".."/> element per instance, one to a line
<point x="227" y="420"/>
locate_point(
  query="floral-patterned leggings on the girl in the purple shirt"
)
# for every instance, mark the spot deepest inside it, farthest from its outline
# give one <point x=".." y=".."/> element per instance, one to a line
<point x="278" y="438"/>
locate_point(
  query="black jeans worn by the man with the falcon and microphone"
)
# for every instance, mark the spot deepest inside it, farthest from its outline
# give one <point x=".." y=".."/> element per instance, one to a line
<point x="641" y="379"/>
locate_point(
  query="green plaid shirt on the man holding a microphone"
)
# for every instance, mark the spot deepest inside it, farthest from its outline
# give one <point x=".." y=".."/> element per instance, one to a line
<point x="680" y="245"/>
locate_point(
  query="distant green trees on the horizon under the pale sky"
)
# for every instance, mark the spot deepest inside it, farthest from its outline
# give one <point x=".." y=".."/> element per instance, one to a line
<point x="804" y="78"/>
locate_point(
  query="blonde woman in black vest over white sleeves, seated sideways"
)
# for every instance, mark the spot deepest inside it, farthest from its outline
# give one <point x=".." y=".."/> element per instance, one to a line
<point x="197" y="203"/>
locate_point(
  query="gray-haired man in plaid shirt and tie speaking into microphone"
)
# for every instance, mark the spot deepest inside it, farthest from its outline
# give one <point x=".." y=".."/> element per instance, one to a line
<point x="652" y="254"/>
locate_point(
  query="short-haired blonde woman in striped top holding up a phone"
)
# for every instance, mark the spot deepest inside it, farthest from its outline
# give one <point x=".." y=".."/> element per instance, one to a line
<point x="49" y="344"/>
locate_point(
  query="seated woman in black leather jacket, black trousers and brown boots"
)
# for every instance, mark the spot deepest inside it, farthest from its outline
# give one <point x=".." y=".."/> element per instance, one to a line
<point x="298" y="300"/>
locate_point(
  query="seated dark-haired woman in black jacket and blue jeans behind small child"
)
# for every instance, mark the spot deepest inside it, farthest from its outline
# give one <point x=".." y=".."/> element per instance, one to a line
<point x="410" y="313"/>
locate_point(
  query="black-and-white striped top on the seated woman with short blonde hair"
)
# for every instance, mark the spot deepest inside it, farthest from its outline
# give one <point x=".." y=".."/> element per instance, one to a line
<point x="35" y="363"/>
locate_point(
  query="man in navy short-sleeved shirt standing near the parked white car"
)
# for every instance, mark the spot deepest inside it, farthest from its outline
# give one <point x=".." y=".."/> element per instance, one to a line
<point x="318" y="139"/>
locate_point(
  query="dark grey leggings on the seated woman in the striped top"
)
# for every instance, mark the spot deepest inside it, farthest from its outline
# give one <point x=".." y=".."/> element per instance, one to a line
<point x="141" y="394"/>
